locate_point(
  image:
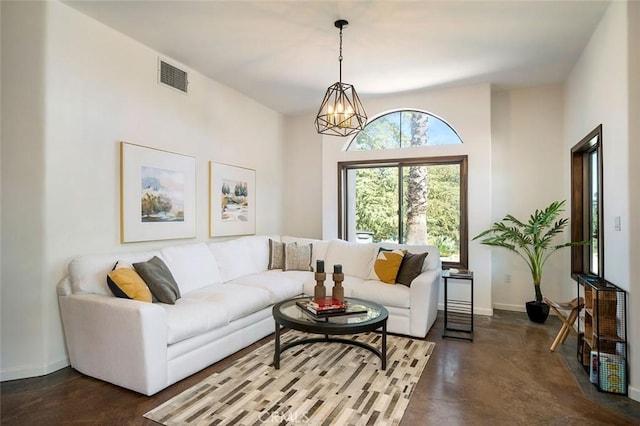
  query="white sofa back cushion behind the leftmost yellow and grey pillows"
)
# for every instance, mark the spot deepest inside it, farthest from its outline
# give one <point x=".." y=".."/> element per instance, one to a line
<point x="86" y="273"/>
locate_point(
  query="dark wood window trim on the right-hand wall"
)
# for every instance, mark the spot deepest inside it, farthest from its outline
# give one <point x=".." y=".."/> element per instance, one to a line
<point x="581" y="203"/>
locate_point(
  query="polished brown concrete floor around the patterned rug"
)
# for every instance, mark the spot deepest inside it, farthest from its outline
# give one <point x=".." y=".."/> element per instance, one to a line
<point x="506" y="376"/>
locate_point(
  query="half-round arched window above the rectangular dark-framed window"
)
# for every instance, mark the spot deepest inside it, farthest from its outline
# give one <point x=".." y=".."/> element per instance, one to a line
<point x="401" y="129"/>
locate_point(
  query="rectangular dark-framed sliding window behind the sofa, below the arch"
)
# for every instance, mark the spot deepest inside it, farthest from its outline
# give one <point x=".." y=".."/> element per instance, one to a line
<point x="413" y="202"/>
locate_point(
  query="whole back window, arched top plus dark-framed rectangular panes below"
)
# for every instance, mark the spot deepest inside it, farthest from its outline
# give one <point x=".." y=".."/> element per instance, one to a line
<point x="415" y="200"/>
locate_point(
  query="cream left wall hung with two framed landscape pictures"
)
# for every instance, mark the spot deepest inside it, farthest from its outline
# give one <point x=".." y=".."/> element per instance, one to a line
<point x="72" y="90"/>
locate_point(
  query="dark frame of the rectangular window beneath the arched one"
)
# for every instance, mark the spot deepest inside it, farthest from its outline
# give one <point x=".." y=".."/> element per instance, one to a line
<point x="461" y="160"/>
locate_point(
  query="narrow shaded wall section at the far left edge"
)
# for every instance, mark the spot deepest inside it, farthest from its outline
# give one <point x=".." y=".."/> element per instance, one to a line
<point x="23" y="170"/>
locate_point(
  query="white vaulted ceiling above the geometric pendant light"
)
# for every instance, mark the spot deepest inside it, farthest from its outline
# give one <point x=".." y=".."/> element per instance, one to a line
<point x="284" y="54"/>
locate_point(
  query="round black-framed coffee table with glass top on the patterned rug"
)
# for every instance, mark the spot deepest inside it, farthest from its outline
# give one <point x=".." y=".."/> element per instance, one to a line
<point x="289" y="314"/>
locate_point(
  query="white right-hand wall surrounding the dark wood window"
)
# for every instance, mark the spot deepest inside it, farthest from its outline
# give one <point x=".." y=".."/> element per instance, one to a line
<point x="597" y="91"/>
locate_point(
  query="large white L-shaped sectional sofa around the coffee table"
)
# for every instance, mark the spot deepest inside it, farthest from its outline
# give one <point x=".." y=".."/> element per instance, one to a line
<point x="227" y="293"/>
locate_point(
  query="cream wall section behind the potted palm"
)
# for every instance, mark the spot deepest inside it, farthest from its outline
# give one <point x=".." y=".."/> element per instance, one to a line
<point x="528" y="163"/>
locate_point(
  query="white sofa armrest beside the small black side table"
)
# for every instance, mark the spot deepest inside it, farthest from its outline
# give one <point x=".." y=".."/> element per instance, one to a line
<point x="425" y="289"/>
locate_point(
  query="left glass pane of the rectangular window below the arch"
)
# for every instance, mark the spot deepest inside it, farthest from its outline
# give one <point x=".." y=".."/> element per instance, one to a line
<point x="376" y="204"/>
